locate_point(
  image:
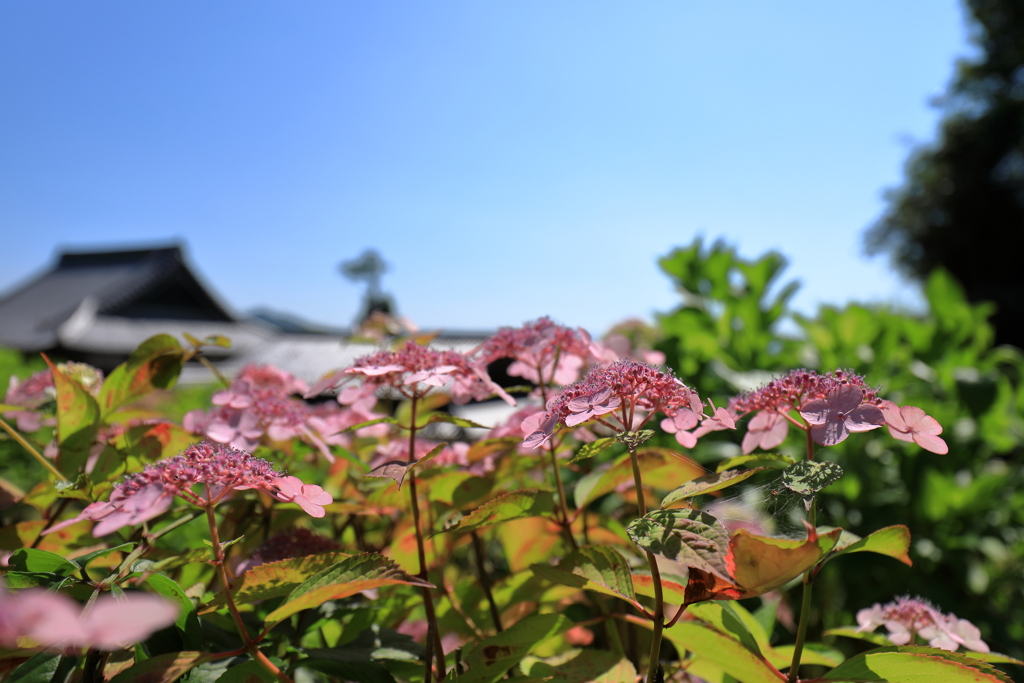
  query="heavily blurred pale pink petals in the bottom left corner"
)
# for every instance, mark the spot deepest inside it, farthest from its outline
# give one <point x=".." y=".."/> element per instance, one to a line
<point x="57" y="622"/>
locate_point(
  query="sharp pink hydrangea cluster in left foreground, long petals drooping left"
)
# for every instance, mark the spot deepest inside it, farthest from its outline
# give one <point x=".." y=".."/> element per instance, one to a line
<point x="218" y="467"/>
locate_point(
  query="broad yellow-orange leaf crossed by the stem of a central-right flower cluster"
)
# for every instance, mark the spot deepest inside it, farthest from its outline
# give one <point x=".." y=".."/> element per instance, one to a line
<point x="662" y="469"/>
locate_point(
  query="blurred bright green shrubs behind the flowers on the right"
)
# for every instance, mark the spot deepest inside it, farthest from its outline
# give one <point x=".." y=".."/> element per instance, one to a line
<point x="965" y="509"/>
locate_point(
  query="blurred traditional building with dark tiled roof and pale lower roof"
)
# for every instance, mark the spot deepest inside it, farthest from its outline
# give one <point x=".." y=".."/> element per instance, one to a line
<point x="97" y="307"/>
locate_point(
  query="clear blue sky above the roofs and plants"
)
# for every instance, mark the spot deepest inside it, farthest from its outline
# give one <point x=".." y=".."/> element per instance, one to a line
<point x="508" y="159"/>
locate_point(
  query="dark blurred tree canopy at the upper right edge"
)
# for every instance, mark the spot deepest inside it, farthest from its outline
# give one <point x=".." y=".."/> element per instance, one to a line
<point x="962" y="206"/>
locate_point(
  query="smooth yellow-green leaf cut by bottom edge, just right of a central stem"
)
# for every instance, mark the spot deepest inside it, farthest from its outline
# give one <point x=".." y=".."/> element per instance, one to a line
<point x="721" y="653"/>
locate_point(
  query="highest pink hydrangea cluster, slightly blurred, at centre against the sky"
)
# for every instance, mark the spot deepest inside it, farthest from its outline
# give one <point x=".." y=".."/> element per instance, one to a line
<point x="544" y="353"/>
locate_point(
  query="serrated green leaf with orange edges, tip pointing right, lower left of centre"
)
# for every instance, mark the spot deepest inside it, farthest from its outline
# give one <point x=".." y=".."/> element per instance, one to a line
<point x="360" y="573"/>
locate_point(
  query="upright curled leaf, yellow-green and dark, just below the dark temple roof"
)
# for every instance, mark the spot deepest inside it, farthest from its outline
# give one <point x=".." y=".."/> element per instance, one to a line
<point x="155" y="365"/>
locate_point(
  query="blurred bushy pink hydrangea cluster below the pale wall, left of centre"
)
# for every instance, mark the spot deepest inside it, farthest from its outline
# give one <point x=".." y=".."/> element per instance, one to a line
<point x="262" y="403"/>
